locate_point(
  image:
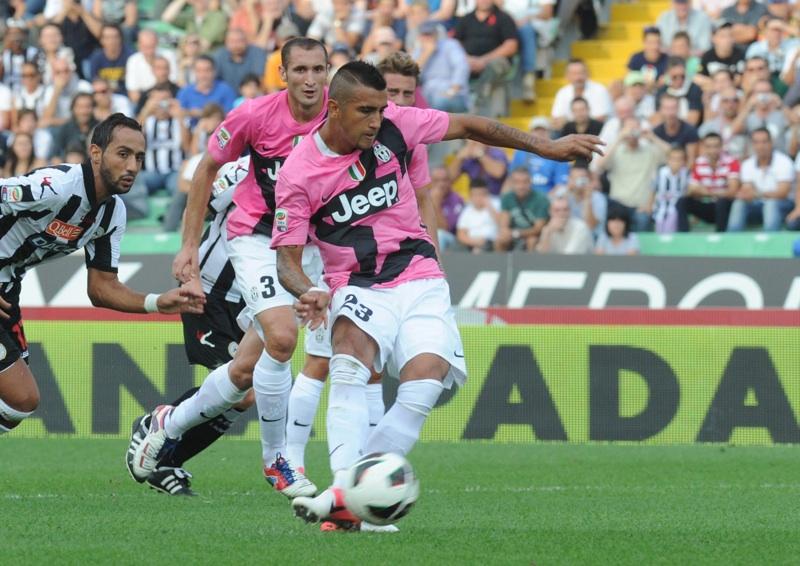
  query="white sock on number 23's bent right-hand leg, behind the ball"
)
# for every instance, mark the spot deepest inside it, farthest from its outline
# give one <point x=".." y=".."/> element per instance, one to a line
<point x="399" y="429"/>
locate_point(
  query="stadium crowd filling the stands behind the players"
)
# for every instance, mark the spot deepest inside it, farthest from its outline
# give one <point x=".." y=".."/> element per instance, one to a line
<point x="702" y="128"/>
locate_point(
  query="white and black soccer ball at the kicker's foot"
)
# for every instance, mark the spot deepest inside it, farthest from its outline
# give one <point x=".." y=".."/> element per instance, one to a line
<point x="381" y="488"/>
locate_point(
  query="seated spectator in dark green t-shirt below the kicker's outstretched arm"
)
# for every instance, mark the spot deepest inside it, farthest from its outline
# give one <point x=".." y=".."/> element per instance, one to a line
<point x="523" y="213"/>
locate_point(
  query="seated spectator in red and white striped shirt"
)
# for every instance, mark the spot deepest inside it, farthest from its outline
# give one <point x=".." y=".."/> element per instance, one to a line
<point x="713" y="184"/>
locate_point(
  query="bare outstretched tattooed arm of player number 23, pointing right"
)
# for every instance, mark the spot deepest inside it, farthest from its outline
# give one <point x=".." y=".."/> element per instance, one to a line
<point x="492" y="132"/>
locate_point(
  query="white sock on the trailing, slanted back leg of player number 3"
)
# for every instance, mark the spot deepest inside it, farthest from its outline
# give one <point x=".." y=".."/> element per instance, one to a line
<point x="215" y="396"/>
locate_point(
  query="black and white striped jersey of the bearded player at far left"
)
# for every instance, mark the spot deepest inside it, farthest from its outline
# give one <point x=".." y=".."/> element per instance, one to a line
<point x="50" y="213"/>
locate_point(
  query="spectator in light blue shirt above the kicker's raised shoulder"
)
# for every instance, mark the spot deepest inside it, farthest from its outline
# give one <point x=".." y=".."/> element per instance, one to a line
<point x="445" y="70"/>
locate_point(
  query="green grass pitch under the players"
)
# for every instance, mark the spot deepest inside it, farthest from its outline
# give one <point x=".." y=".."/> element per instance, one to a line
<point x="72" y="502"/>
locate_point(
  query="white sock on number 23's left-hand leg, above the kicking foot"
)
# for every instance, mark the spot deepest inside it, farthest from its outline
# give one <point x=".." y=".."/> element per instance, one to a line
<point x="348" y="418"/>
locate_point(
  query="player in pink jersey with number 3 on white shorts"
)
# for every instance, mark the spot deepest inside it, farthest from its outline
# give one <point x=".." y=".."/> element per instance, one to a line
<point x="269" y="127"/>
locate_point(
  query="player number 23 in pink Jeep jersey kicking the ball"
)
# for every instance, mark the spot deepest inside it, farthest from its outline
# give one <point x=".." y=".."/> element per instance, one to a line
<point x="347" y="187"/>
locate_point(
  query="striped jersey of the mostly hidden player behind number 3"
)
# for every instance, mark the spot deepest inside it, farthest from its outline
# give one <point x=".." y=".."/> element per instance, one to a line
<point x="216" y="270"/>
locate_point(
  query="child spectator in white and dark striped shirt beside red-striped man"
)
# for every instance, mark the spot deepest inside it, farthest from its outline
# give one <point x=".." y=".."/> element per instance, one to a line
<point x="670" y="185"/>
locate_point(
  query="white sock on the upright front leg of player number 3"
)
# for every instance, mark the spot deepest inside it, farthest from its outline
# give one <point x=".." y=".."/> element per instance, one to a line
<point x="272" y="382"/>
